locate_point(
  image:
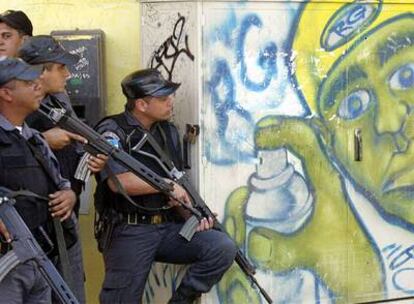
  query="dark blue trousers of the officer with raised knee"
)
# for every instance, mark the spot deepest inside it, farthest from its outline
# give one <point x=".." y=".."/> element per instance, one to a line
<point x="134" y="248"/>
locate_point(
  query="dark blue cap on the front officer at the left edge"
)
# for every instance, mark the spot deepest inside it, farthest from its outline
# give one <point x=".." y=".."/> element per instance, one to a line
<point x="14" y="68"/>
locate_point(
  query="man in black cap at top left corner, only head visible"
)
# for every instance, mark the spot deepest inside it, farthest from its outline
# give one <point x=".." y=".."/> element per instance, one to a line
<point x="15" y="28"/>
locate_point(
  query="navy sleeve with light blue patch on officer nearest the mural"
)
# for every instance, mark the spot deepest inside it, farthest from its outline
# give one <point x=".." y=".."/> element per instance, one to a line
<point x="114" y="135"/>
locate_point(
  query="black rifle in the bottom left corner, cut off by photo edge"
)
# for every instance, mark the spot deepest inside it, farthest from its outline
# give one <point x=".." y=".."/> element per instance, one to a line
<point x="25" y="248"/>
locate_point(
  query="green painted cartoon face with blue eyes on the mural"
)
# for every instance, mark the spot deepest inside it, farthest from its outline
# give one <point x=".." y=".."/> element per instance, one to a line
<point x="371" y="87"/>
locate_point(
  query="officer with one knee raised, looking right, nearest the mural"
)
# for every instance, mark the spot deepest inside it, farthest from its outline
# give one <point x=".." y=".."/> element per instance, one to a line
<point x="148" y="230"/>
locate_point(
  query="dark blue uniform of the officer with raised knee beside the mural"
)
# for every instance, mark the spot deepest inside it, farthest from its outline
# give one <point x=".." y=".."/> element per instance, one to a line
<point x="138" y="240"/>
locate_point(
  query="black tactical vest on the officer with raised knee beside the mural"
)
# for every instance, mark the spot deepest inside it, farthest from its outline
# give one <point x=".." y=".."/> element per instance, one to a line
<point x="130" y="137"/>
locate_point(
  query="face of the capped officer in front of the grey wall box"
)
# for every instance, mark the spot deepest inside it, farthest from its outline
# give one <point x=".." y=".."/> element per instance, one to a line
<point x="54" y="78"/>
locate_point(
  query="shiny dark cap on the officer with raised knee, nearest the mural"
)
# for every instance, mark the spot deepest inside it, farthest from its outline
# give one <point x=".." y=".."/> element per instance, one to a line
<point x="148" y="82"/>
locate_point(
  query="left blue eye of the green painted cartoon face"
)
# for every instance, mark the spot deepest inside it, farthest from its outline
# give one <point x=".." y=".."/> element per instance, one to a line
<point x="354" y="105"/>
